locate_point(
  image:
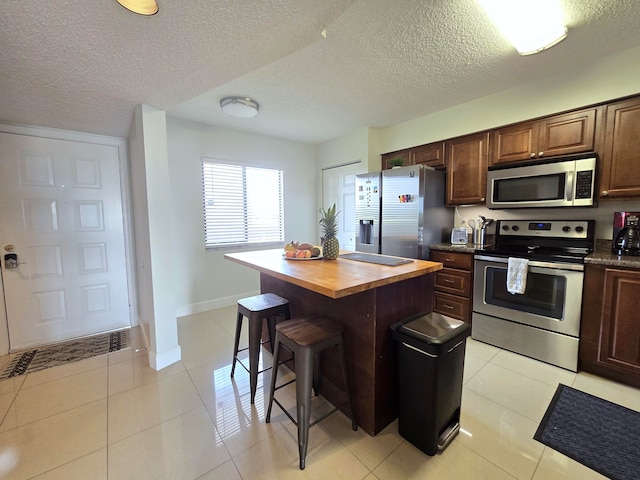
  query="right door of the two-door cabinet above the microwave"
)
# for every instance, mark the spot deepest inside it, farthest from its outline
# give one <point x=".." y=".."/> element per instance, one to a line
<point x="565" y="134"/>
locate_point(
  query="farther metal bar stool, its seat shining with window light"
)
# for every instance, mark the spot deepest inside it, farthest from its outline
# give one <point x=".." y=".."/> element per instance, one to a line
<point x="257" y="308"/>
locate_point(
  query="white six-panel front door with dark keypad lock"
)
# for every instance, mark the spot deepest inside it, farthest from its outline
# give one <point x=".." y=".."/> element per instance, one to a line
<point x="61" y="216"/>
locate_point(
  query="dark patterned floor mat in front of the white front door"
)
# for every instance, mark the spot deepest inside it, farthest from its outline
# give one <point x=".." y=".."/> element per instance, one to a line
<point x="66" y="352"/>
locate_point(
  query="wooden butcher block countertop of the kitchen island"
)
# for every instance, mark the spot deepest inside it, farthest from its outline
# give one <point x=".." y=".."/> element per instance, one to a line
<point x="333" y="278"/>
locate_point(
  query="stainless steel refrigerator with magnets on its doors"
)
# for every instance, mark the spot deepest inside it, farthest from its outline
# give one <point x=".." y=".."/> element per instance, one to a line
<point x="412" y="213"/>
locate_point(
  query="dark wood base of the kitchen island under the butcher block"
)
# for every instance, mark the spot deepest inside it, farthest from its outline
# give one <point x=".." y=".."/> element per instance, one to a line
<point x="366" y="318"/>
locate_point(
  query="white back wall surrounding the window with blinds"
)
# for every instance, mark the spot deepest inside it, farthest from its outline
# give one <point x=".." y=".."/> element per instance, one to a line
<point x="204" y="279"/>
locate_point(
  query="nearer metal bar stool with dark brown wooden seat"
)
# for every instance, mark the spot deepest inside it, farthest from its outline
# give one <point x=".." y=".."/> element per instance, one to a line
<point x="306" y="338"/>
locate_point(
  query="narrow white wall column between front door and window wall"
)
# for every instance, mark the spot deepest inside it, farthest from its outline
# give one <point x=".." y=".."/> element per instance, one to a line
<point x="151" y="198"/>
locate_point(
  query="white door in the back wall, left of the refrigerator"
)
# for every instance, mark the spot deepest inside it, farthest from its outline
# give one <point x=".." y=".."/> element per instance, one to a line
<point x="339" y="187"/>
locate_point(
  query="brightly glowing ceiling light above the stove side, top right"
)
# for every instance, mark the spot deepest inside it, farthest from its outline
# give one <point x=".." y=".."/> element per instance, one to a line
<point x="531" y="25"/>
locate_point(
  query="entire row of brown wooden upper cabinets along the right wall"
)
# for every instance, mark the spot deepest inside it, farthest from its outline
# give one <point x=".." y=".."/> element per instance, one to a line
<point x="610" y="129"/>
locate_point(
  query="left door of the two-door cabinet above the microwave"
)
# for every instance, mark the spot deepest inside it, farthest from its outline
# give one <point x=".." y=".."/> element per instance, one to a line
<point x="514" y="143"/>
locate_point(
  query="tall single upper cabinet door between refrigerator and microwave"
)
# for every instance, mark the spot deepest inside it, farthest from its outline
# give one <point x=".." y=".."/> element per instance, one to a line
<point x="467" y="169"/>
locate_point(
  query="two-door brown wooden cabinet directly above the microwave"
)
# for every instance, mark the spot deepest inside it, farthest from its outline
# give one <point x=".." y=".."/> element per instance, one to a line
<point x="569" y="133"/>
